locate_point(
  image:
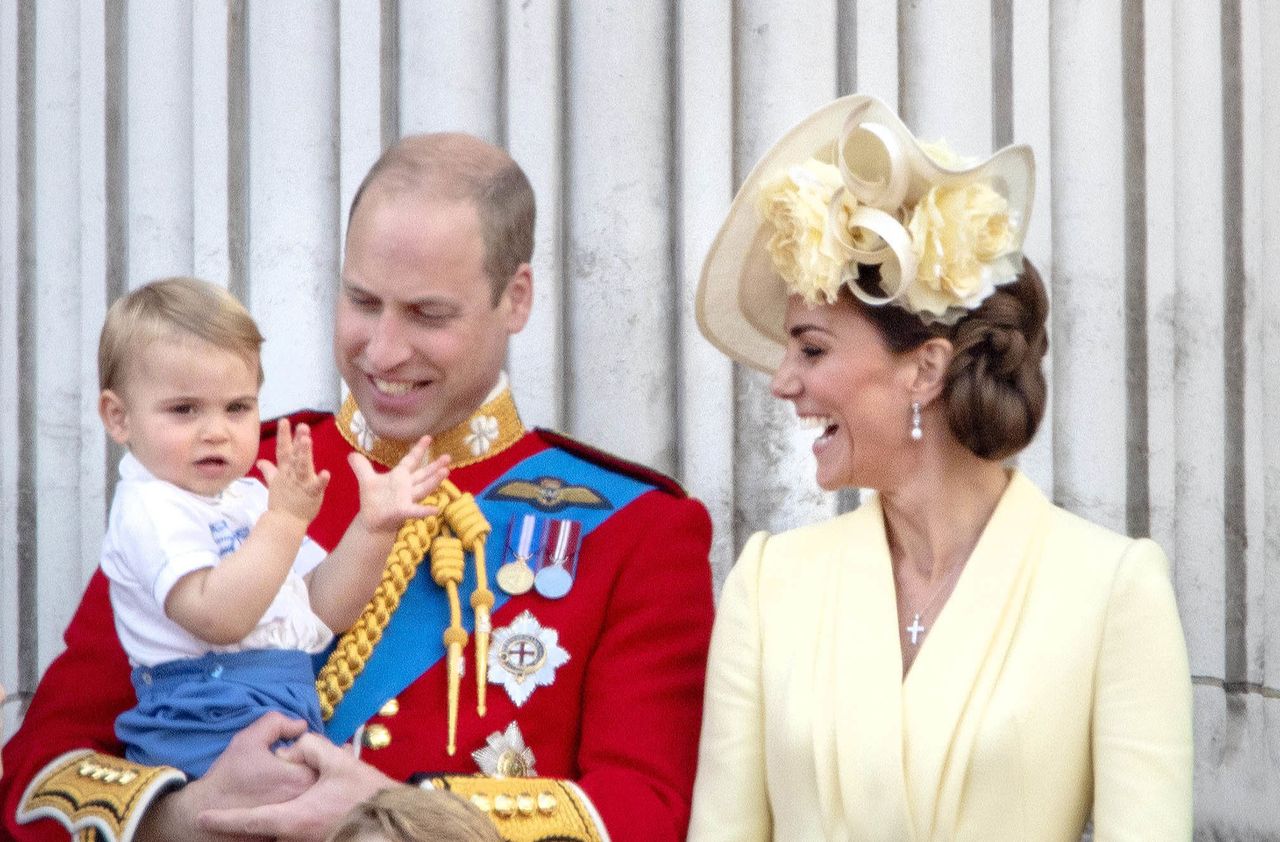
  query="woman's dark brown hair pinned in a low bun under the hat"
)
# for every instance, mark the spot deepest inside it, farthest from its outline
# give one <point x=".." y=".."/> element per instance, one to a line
<point x="995" y="388"/>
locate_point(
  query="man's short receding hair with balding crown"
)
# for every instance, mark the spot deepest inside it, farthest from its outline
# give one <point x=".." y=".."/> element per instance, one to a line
<point x="452" y="168"/>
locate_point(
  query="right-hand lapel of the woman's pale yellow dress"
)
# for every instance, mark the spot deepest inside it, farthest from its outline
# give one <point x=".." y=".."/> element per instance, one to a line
<point x="947" y="692"/>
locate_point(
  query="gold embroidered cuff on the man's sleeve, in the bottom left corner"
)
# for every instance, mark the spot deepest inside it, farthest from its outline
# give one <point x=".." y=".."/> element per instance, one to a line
<point x="97" y="797"/>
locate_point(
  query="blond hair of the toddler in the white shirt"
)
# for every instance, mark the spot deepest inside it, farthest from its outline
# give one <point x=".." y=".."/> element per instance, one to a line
<point x="173" y="309"/>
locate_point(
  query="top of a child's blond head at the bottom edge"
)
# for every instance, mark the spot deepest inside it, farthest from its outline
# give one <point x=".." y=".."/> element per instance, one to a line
<point x="409" y="814"/>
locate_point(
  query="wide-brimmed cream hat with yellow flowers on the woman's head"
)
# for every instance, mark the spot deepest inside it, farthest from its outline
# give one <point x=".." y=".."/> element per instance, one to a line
<point x="851" y="185"/>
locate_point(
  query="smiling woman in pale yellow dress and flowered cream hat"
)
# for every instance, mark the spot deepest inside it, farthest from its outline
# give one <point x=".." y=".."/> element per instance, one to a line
<point x="958" y="658"/>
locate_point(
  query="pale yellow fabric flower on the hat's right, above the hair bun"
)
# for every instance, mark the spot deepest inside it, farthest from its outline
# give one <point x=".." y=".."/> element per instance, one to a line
<point x="964" y="241"/>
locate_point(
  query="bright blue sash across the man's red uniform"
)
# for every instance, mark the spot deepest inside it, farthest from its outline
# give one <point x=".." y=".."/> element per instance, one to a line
<point x="412" y="643"/>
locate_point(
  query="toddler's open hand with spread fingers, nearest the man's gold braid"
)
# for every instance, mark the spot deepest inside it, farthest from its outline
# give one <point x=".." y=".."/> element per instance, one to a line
<point x="390" y="500"/>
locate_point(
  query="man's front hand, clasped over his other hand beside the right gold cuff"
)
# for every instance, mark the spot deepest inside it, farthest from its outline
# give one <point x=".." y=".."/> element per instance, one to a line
<point x="342" y="784"/>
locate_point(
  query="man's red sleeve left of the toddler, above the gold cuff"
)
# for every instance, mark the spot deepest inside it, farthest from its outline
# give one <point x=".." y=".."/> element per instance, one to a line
<point x="75" y="707"/>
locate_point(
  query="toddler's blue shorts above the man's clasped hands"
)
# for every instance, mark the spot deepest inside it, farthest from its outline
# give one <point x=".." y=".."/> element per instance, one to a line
<point x="190" y="710"/>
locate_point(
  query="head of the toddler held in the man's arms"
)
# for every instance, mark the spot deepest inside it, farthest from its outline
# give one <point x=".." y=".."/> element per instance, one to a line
<point x="180" y="372"/>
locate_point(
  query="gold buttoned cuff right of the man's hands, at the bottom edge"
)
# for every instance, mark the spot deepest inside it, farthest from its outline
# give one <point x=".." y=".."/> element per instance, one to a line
<point x="531" y="809"/>
